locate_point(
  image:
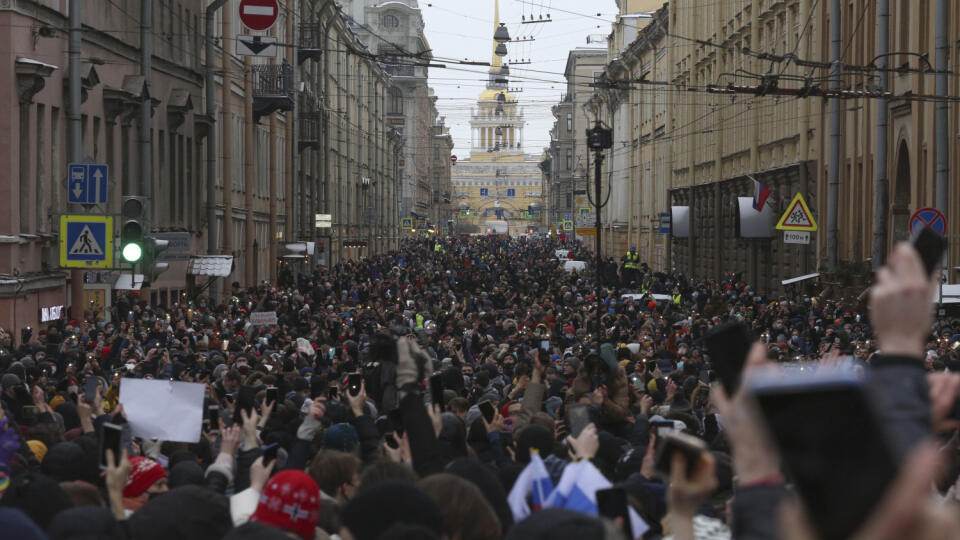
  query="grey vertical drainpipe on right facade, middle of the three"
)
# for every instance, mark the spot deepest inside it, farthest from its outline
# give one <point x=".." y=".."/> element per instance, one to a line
<point x="882" y="196"/>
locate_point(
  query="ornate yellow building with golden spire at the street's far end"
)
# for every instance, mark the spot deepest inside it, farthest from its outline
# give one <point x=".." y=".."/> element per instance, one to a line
<point x="498" y="182"/>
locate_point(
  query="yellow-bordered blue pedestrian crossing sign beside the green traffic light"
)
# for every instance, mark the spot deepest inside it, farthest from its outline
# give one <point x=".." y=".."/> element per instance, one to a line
<point x="86" y="241"/>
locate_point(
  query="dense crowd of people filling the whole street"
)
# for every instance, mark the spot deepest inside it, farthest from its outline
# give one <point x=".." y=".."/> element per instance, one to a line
<point x="414" y="394"/>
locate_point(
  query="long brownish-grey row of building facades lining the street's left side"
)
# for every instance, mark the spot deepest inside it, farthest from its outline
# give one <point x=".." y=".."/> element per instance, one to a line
<point x="297" y="135"/>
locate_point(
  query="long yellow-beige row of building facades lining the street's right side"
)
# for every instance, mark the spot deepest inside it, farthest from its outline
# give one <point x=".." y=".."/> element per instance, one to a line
<point x="690" y="141"/>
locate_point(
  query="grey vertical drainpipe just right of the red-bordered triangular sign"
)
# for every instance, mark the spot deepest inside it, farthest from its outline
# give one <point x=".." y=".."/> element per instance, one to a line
<point x="833" y="191"/>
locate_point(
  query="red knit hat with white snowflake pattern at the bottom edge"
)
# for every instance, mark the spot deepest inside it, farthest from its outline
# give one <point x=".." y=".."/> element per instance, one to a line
<point x="290" y="501"/>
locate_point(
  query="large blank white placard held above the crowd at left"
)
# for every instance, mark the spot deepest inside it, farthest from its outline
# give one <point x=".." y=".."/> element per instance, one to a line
<point x="163" y="410"/>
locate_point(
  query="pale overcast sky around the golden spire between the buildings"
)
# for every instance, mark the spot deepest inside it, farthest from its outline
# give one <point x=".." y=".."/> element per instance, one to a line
<point x="463" y="29"/>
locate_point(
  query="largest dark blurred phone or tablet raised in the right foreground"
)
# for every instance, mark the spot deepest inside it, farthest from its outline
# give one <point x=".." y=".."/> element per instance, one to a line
<point x="841" y="464"/>
